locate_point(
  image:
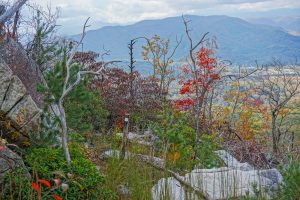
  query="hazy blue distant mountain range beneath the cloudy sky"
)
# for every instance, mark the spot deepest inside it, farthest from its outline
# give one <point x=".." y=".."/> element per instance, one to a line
<point x="239" y="41"/>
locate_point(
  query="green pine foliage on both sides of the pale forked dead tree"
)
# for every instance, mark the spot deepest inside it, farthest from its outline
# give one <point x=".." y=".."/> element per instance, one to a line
<point x="83" y="106"/>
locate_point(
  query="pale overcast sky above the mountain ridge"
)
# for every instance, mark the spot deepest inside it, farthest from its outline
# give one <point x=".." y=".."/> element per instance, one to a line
<point x="102" y="12"/>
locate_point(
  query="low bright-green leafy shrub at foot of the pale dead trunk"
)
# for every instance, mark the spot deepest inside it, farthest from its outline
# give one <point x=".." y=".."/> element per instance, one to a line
<point x="84" y="180"/>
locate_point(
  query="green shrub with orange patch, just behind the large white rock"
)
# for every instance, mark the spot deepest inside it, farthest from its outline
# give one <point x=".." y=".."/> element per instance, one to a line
<point x="175" y="131"/>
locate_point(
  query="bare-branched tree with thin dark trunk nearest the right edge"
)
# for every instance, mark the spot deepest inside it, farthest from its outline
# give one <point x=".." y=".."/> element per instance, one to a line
<point x="278" y="85"/>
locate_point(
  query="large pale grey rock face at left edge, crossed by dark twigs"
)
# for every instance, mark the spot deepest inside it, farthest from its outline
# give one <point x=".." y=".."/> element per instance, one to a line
<point x="19" y="113"/>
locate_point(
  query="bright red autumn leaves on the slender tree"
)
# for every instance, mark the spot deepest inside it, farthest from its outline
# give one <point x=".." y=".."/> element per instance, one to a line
<point x="206" y="66"/>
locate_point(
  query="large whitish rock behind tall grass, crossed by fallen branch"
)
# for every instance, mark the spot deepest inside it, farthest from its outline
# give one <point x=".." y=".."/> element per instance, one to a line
<point x="235" y="180"/>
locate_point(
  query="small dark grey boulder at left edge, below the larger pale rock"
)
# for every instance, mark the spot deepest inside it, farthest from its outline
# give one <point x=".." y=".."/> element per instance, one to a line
<point x="9" y="160"/>
